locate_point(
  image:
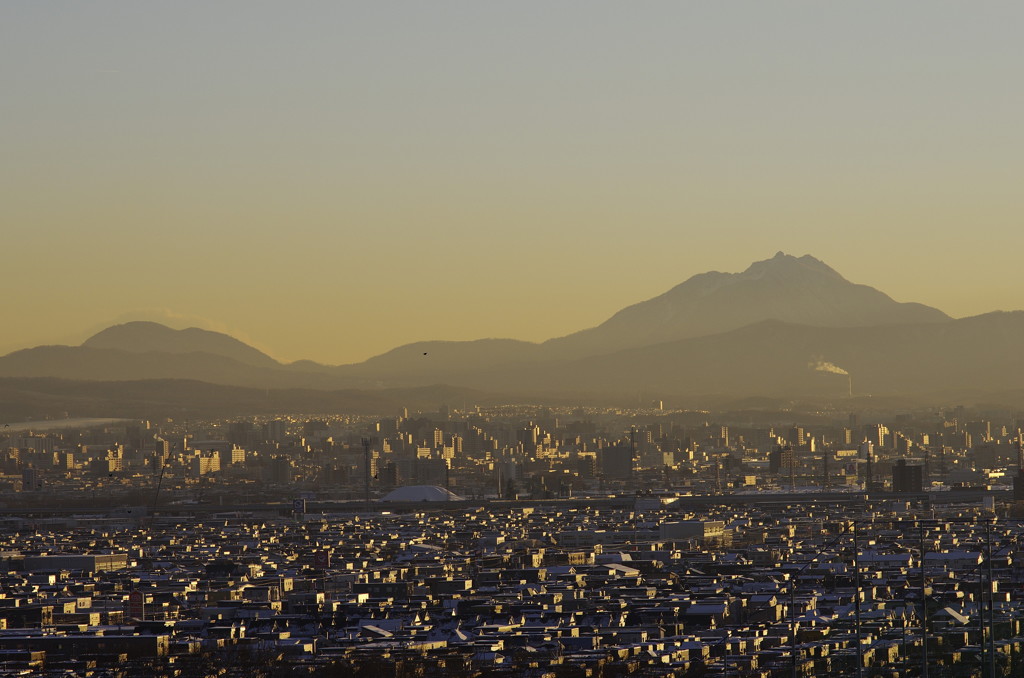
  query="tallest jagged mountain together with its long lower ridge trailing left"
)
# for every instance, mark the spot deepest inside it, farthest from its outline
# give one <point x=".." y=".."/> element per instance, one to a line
<point x="797" y="290"/>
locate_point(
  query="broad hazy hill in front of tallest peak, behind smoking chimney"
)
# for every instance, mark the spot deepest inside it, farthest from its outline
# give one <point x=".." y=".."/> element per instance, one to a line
<point x="777" y="360"/>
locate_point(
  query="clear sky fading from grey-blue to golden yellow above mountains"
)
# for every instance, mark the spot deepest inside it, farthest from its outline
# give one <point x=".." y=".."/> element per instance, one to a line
<point x="329" y="181"/>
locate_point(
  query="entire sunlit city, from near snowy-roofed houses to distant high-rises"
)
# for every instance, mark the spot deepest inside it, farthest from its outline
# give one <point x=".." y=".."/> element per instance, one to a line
<point x="554" y="543"/>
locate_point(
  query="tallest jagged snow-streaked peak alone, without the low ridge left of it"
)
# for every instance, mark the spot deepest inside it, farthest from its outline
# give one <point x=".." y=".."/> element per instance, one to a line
<point x="802" y="291"/>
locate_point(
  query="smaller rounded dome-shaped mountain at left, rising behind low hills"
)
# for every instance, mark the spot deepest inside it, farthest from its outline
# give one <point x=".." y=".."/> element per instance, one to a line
<point x="145" y="337"/>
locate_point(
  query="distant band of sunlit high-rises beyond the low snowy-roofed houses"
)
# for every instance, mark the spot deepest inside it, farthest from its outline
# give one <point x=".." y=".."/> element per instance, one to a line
<point x="507" y="453"/>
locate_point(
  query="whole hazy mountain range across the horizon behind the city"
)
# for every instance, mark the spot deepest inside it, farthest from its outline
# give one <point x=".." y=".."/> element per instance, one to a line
<point x="764" y="332"/>
